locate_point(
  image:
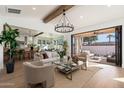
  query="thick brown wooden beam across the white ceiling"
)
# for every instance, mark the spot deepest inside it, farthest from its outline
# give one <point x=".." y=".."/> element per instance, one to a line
<point x="56" y="13"/>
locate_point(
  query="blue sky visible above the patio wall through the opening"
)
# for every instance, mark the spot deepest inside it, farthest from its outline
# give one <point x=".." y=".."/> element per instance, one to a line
<point x="103" y="38"/>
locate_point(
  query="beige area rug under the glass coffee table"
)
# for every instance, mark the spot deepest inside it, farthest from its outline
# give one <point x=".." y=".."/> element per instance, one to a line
<point x="79" y="78"/>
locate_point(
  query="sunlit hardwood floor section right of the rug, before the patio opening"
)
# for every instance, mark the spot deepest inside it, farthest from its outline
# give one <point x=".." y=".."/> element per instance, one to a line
<point x="109" y="77"/>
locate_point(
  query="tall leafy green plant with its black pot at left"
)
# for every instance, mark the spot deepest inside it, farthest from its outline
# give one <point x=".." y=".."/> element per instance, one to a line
<point x="8" y="37"/>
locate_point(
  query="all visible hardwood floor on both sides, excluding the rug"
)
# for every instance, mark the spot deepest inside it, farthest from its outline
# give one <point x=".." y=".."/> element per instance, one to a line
<point x="108" y="77"/>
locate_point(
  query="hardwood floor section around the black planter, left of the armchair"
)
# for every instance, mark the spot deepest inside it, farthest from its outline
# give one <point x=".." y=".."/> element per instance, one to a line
<point x="14" y="79"/>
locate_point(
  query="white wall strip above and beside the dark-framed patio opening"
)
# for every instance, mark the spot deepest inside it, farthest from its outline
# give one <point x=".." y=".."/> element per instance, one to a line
<point x="100" y="26"/>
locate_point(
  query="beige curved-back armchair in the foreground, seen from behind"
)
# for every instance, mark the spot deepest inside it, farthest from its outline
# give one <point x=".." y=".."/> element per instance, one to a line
<point x="36" y="72"/>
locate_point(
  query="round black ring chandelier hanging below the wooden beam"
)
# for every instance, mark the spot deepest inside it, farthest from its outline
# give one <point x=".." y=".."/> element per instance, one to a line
<point x="64" y="25"/>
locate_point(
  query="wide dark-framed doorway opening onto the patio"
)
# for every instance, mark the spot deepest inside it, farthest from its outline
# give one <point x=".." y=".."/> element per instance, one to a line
<point x="106" y="52"/>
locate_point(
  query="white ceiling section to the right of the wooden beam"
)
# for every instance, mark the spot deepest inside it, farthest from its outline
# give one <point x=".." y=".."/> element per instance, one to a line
<point x="86" y="15"/>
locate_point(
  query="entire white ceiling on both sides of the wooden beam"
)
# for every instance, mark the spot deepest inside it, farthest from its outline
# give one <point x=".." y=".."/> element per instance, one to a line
<point x="80" y="16"/>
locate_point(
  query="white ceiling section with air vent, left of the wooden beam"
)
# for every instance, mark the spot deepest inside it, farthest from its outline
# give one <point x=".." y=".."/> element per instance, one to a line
<point x="27" y="11"/>
